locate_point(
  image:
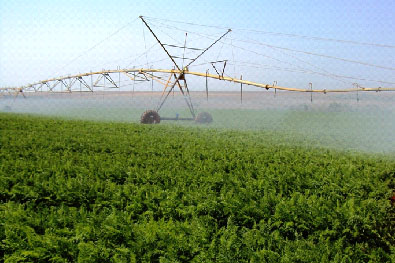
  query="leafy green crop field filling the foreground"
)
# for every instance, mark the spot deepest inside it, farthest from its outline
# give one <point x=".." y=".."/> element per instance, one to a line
<point x="75" y="190"/>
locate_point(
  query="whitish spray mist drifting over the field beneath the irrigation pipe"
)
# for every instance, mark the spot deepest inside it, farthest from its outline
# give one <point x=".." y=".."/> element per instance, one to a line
<point x="353" y="122"/>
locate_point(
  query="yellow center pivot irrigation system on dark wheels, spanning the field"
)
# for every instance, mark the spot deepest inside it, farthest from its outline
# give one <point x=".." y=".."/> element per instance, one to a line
<point x="175" y="78"/>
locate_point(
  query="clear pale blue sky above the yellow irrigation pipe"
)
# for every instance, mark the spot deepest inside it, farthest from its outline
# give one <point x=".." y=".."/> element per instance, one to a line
<point x="41" y="39"/>
